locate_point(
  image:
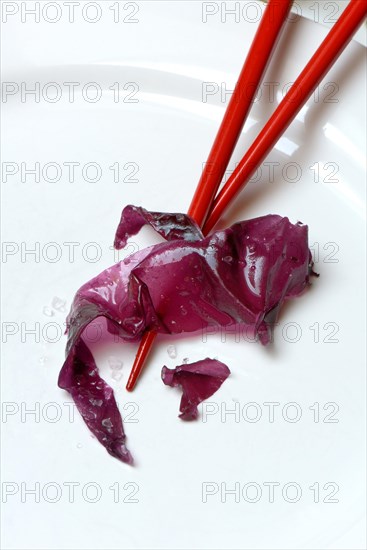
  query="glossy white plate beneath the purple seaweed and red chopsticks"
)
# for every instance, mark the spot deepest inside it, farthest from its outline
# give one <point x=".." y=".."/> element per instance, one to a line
<point x="168" y="54"/>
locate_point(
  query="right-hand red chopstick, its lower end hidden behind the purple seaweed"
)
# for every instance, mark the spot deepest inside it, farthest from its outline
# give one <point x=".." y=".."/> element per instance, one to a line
<point x="315" y="70"/>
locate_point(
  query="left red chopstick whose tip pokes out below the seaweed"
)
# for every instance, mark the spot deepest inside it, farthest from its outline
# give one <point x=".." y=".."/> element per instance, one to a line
<point x="229" y="131"/>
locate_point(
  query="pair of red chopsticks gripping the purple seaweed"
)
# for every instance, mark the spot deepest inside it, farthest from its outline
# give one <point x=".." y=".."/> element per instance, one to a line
<point x="205" y="207"/>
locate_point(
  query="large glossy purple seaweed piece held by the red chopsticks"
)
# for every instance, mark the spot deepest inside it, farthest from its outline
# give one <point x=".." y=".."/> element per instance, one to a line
<point x="240" y="275"/>
